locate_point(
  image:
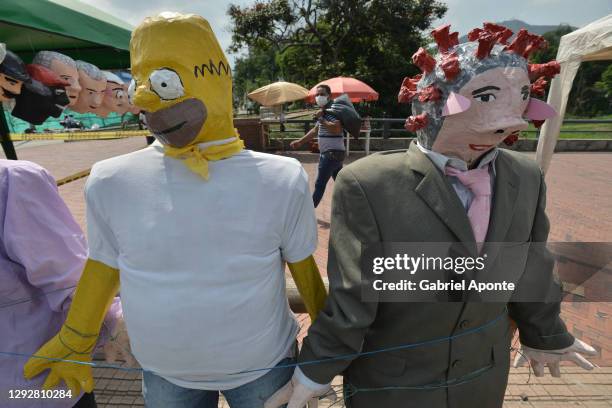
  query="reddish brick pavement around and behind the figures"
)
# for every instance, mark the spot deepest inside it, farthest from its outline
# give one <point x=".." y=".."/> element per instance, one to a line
<point x="579" y="206"/>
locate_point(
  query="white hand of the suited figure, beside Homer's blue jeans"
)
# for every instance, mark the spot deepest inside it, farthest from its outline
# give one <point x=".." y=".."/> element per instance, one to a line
<point x="297" y="394"/>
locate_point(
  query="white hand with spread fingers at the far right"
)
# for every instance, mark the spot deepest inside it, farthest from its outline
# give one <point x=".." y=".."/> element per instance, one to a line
<point x="552" y="358"/>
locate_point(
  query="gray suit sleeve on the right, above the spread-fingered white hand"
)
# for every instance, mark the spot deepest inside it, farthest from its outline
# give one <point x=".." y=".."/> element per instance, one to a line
<point x="539" y="324"/>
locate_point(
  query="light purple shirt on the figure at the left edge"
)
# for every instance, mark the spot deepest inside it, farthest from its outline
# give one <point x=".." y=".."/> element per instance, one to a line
<point x="42" y="254"/>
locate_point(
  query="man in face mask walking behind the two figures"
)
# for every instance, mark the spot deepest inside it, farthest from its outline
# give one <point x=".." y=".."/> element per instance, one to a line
<point x="330" y="133"/>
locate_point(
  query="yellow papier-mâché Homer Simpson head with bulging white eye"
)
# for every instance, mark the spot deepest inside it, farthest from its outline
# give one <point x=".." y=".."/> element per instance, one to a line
<point x="182" y="80"/>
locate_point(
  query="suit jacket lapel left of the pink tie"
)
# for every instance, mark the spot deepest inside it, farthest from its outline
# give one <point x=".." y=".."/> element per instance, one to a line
<point x="439" y="195"/>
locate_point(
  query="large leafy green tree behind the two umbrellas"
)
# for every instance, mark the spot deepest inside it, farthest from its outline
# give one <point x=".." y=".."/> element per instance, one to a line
<point x="313" y="40"/>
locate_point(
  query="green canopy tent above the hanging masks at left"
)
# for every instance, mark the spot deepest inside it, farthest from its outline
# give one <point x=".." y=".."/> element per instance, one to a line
<point x="67" y="26"/>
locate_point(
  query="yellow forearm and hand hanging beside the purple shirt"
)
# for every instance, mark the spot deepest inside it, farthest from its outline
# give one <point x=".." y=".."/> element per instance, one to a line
<point x="79" y="334"/>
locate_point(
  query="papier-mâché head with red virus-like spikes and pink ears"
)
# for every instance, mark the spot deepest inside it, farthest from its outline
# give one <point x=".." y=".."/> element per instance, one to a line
<point x="472" y="96"/>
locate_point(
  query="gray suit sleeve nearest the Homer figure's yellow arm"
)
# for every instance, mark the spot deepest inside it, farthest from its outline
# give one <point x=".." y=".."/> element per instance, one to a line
<point x="341" y="326"/>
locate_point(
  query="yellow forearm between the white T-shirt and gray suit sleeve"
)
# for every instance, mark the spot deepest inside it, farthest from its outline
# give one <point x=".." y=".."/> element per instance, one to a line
<point x="310" y="285"/>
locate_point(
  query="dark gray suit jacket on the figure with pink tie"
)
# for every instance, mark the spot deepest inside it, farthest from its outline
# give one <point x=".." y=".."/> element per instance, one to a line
<point x="401" y="196"/>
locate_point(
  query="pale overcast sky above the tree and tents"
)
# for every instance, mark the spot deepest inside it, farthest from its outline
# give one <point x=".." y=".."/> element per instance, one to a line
<point x="462" y="14"/>
